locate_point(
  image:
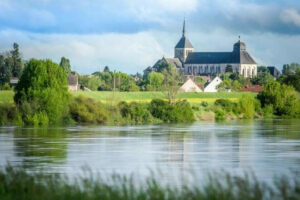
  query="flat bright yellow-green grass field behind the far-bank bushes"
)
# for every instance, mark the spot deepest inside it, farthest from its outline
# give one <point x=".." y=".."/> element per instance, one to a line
<point x="7" y="96"/>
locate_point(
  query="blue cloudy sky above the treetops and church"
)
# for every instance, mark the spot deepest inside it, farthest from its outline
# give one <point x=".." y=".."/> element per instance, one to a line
<point x="129" y="35"/>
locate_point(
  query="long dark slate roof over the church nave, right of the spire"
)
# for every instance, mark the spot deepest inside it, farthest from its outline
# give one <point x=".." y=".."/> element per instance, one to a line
<point x="242" y="57"/>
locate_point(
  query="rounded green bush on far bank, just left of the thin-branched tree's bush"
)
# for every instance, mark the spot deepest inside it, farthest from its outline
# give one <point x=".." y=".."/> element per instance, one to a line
<point x="135" y="112"/>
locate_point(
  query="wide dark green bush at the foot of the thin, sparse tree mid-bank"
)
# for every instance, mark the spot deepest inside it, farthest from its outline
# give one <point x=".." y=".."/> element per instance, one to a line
<point x="179" y="112"/>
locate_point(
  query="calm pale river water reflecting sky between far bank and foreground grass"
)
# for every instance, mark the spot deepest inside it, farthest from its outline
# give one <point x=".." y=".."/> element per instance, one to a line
<point x="265" y="147"/>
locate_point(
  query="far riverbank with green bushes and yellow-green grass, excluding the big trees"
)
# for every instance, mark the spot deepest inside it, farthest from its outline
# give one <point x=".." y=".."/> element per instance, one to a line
<point x="123" y="108"/>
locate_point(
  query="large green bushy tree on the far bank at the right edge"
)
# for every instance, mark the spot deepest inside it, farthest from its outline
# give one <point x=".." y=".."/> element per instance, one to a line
<point x="283" y="98"/>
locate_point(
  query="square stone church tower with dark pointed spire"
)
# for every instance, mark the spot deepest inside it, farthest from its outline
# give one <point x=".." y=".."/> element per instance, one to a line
<point x="183" y="47"/>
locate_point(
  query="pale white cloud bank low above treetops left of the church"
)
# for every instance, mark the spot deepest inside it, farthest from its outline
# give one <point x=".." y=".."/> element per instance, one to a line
<point x="124" y="52"/>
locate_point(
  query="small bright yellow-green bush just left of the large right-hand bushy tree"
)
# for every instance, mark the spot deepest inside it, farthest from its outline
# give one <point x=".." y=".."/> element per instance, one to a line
<point x="246" y="106"/>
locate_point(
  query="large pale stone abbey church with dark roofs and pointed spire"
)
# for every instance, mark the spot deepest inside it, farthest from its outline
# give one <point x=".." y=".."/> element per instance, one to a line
<point x="211" y="63"/>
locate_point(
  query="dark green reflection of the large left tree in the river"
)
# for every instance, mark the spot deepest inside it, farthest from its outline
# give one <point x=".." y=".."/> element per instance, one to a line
<point x="39" y="146"/>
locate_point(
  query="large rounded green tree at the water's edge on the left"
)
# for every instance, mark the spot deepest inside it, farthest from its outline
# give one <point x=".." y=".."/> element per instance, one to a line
<point x="43" y="88"/>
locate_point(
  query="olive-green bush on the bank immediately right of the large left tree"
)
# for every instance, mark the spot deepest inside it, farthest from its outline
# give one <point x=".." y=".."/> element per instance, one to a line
<point x="85" y="110"/>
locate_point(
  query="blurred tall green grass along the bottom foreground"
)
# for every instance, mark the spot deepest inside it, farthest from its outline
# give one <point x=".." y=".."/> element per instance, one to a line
<point x="16" y="183"/>
